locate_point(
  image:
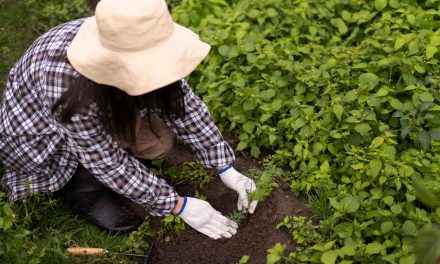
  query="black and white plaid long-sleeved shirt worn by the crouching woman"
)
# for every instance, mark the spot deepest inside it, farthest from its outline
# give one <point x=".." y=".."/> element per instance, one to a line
<point x="40" y="154"/>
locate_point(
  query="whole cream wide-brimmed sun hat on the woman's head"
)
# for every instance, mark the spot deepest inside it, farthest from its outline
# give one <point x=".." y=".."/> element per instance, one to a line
<point x="135" y="46"/>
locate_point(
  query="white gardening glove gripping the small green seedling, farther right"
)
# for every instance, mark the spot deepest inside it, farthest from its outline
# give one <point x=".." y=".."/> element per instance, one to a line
<point x="242" y="185"/>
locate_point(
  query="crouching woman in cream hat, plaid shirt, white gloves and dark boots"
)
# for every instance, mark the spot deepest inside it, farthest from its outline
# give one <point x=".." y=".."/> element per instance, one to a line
<point x="91" y="96"/>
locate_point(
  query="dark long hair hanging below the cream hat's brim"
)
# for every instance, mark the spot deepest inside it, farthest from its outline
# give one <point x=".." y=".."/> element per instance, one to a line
<point x="118" y="110"/>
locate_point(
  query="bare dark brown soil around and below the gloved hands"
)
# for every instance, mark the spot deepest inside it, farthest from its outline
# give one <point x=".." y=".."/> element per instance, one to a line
<point x="255" y="235"/>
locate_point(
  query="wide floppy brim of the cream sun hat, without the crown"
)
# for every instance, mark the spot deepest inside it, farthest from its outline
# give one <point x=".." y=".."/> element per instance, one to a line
<point x="136" y="72"/>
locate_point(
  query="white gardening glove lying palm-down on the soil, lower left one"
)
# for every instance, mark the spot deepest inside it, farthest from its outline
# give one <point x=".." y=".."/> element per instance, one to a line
<point x="202" y="217"/>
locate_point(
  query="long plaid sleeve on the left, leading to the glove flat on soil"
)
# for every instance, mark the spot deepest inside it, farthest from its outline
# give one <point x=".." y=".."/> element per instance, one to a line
<point x="114" y="167"/>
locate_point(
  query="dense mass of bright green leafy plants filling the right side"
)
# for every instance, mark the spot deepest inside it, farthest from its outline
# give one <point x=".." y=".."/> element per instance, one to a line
<point x="346" y="94"/>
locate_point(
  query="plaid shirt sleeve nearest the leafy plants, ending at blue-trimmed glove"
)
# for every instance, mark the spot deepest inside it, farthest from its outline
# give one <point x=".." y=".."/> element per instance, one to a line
<point x="199" y="131"/>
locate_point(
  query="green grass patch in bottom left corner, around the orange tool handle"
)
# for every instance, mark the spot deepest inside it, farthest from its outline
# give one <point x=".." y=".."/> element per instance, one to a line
<point x="40" y="228"/>
